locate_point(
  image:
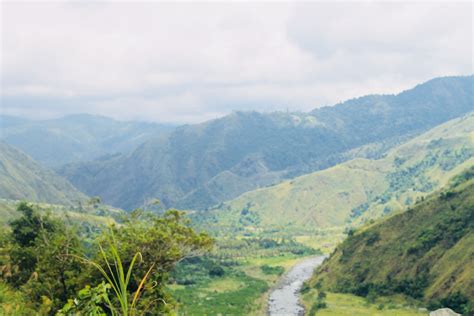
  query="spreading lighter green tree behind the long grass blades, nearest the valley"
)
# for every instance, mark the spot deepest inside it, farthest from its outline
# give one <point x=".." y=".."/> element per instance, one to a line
<point x="161" y="242"/>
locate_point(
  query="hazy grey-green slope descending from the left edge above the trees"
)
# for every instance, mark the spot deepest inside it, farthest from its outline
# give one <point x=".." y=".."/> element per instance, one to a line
<point x="21" y="178"/>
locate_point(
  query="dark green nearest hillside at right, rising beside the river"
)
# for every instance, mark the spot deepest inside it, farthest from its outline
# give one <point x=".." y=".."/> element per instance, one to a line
<point x="426" y="252"/>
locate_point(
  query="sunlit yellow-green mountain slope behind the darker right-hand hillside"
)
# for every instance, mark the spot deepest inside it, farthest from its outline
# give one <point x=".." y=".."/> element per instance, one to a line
<point x="360" y="189"/>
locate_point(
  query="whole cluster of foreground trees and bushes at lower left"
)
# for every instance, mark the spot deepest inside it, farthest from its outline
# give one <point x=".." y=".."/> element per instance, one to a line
<point x="123" y="271"/>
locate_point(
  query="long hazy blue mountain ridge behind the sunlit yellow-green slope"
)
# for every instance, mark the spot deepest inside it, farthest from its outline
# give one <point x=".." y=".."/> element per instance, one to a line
<point x="198" y="166"/>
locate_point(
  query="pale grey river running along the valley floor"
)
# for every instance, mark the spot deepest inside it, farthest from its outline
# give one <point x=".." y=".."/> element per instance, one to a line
<point x="284" y="299"/>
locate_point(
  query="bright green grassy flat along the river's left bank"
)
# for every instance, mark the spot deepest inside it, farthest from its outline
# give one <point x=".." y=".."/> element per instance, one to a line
<point x="241" y="289"/>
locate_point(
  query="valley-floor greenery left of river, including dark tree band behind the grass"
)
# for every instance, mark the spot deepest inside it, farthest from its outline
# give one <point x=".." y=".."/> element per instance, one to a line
<point x="233" y="279"/>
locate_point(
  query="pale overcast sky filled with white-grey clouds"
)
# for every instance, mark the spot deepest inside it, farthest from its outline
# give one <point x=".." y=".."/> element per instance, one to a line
<point x="191" y="62"/>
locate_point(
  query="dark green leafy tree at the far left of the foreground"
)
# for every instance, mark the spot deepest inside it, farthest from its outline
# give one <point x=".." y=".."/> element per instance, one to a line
<point x="40" y="255"/>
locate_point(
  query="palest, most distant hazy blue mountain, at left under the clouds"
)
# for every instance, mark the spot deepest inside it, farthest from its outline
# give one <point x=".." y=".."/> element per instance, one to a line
<point x="76" y="137"/>
